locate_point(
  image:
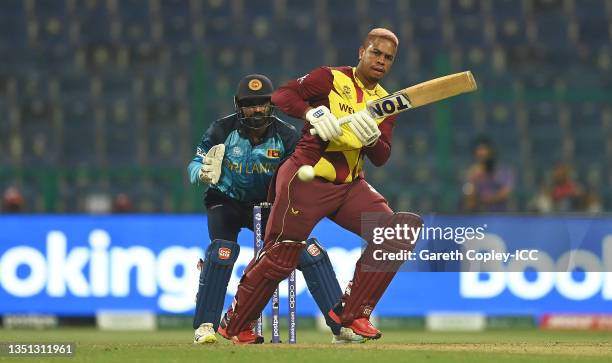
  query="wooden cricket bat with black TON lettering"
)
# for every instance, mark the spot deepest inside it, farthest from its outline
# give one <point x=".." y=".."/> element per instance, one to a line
<point x="419" y="95"/>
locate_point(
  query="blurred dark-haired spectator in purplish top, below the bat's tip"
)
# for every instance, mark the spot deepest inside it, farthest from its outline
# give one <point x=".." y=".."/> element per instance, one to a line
<point x="488" y="185"/>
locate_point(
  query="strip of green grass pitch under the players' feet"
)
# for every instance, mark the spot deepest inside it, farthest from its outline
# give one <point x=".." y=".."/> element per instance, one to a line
<point x="493" y="346"/>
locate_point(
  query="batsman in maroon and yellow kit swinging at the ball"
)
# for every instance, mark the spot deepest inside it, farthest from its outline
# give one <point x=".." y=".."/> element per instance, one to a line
<point x="339" y="190"/>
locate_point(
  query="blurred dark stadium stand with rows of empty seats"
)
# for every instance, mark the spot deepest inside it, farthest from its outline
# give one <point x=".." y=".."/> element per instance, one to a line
<point x="111" y="96"/>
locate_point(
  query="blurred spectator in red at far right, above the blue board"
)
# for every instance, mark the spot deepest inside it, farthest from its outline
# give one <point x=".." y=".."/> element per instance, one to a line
<point x="564" y="194"/>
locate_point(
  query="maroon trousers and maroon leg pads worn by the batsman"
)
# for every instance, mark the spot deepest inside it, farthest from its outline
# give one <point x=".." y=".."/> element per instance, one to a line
<point x="298" y="207"/>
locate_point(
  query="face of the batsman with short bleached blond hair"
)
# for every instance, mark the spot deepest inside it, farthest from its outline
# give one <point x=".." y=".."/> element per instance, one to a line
<point x="377" y="58"/>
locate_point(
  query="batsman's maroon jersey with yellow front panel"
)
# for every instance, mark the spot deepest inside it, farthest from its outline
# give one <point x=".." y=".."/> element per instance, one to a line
<point x="339" y="161"/>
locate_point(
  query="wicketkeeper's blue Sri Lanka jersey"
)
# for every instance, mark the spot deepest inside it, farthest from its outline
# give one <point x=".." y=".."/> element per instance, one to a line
<point x="247" y="169"/>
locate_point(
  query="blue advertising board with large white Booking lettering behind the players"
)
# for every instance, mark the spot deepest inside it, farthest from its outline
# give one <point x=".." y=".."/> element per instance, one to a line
<point x="77" y="265"/>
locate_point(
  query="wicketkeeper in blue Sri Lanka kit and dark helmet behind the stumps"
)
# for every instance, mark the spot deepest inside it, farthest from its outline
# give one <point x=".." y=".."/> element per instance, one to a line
<point x="237" y="158"/>
